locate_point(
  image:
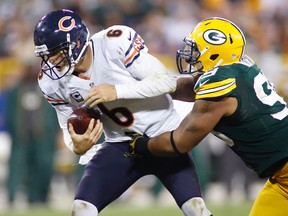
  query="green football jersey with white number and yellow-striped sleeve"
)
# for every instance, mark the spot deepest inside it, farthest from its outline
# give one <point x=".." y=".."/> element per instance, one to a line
<point x="258" y="130"/>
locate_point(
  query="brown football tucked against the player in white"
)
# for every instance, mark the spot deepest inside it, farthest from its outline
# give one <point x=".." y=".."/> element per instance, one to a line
<point x="80" y="118"/>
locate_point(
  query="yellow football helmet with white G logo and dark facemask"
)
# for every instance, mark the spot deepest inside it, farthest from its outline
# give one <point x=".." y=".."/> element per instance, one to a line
<point x="213" y="42"/>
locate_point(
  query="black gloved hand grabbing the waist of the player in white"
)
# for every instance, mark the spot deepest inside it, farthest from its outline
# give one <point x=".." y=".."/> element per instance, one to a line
<point x="138" y="145"/>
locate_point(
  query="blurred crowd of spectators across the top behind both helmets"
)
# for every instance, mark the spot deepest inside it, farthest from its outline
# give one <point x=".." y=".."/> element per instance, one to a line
<point x="162" y="23"/>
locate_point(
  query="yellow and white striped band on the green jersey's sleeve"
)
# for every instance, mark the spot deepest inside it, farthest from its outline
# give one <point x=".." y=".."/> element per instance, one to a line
<point x="215" y="89"/>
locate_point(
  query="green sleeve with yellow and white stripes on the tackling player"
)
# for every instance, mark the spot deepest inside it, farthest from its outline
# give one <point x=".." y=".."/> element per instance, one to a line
<point x="214" y="84"/>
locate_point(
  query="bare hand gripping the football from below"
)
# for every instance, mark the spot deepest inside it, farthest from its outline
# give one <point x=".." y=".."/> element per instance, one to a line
<point x="83" y="142"/>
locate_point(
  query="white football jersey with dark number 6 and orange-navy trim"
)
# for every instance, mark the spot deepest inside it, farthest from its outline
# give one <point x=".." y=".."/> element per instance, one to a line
<point x="120" y="58"/>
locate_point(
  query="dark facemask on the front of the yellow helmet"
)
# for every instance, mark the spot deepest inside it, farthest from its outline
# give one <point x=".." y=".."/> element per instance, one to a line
<point x="187" y="58"/>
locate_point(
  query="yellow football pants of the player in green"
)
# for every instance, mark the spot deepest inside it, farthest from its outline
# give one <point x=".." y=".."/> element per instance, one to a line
<point x="273" y="198"/>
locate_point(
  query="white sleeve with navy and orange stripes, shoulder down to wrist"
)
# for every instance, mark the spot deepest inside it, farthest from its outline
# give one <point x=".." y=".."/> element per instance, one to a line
<point x="152" y="76"/>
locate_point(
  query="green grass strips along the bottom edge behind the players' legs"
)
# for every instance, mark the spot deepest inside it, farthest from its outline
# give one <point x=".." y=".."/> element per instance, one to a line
<point x="116" y="210"/>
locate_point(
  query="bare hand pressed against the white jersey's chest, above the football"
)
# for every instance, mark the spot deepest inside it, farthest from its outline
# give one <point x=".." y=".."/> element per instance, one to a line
<point x="100" y="94"/>
